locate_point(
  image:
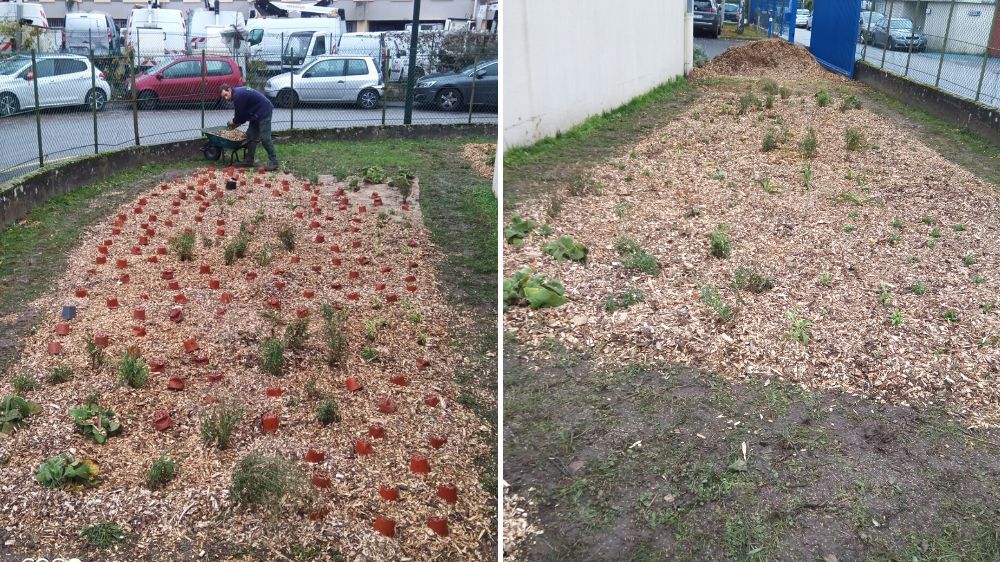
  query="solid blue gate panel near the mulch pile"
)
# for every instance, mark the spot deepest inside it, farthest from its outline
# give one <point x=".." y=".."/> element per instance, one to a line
<point x="834" y="39"/>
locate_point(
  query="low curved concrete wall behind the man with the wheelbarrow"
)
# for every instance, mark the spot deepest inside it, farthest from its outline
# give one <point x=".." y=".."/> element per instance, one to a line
<point x="18" y="197"/>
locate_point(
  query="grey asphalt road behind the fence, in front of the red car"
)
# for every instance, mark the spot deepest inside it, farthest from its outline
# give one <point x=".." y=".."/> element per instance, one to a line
<point x="71" y="133"/>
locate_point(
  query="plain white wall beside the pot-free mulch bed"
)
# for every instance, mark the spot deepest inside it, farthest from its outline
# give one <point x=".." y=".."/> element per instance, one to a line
<point x="565" y="60"/>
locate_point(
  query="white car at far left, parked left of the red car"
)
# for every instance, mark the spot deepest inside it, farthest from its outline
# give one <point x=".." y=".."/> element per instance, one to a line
<point x="63" y="80"/>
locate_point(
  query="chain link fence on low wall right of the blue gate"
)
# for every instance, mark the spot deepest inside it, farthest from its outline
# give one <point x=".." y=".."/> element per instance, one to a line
<point x="950" y="45"/>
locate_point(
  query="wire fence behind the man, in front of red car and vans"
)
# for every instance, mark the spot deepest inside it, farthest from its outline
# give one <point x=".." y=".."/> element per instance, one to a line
<point x="57" y="102"/>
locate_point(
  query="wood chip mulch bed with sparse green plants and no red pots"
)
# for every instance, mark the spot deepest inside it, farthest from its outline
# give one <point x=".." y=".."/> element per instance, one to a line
<point x="836" y="258"/>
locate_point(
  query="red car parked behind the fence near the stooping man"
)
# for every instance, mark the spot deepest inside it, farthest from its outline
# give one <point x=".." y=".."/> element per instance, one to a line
<point x="179" y="81"/>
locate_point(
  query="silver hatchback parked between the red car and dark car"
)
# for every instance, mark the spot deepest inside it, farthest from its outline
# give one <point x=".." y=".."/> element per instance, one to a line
<point x="329" y="78"/>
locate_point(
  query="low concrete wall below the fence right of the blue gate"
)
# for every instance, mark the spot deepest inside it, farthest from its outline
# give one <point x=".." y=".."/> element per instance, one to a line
<point x="963" y="113"/>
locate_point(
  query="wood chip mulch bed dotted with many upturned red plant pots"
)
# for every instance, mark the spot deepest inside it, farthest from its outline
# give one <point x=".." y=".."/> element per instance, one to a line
<point x="204" y="323"/>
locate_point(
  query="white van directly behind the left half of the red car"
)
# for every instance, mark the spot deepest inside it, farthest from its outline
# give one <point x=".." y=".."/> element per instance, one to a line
<point x="155" y="35"/>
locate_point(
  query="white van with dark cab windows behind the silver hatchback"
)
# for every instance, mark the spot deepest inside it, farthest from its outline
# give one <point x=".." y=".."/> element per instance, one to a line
<point x="268" y="37"/>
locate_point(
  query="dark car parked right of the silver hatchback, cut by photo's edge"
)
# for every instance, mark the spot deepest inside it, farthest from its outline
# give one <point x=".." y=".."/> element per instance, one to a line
<point x="451" y="91"/>
